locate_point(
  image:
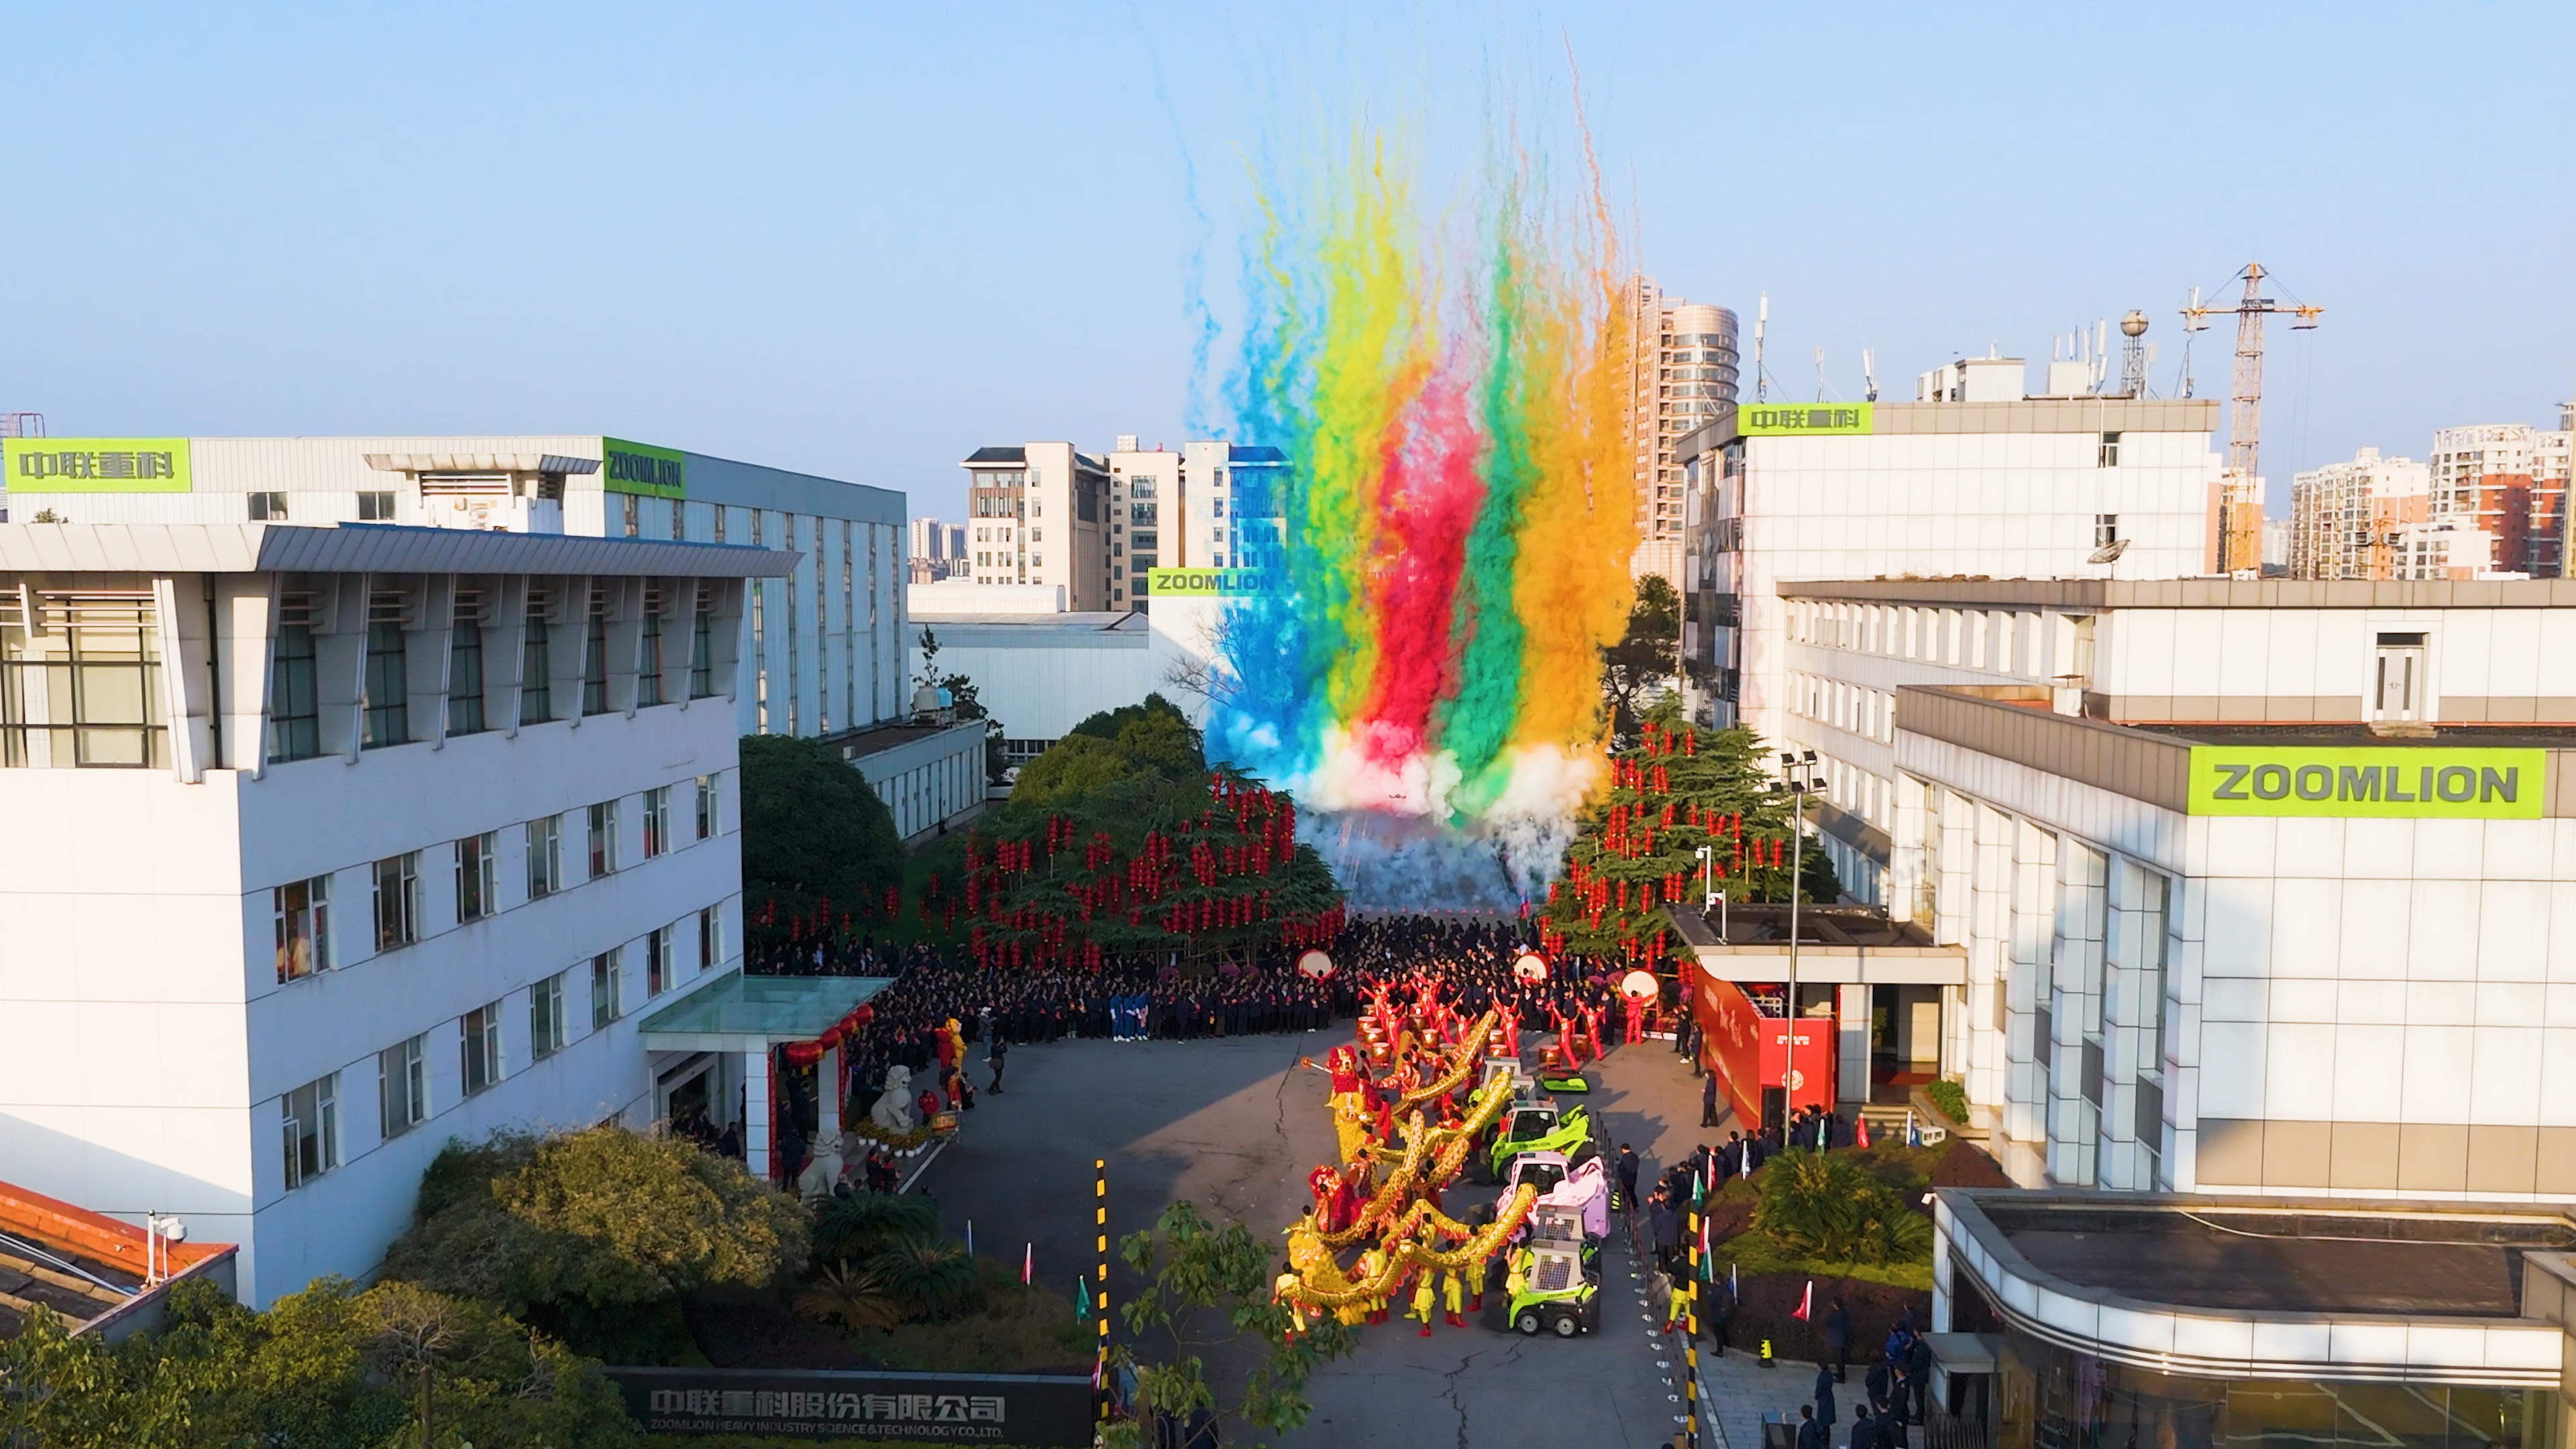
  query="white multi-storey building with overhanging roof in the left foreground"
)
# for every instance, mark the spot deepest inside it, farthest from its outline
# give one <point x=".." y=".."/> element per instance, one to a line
<point x="357" y="839"/>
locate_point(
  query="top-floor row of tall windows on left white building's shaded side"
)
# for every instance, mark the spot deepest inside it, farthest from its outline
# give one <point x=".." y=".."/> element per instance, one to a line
<point x="295" y="700"/>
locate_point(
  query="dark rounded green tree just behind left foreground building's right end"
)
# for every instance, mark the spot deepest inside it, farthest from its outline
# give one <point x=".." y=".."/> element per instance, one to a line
<point x="810" y="829"/>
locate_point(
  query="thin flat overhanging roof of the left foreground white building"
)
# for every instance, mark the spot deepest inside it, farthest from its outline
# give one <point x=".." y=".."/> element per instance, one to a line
<point x="367" y="548"/>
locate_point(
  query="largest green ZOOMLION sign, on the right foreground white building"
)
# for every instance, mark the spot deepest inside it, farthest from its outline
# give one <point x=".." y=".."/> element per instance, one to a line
<point x="2389" y="783"/>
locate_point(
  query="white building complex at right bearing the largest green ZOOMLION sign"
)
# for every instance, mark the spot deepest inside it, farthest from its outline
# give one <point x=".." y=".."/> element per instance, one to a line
<point x="2248" y="888"/>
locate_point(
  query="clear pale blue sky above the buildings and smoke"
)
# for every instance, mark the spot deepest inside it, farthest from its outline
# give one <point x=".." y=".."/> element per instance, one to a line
<point x="869" y="238"/>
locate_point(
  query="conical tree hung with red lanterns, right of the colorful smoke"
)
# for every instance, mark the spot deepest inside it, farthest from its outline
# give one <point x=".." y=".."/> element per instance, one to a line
<point x="1640" y="850"/>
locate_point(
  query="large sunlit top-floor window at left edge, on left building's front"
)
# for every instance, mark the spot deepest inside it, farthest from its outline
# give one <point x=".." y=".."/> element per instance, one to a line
<point x="84" y="685"/>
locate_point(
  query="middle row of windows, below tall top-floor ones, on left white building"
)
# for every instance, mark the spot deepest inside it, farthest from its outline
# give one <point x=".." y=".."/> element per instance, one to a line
<point x="303" y="911"/>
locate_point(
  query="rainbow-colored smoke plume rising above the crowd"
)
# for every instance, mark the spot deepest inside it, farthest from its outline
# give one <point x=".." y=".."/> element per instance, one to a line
<point x="1449" y="548"/>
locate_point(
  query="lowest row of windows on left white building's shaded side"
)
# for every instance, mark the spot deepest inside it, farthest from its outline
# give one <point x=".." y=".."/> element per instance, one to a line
<point x="310" y="1115"/>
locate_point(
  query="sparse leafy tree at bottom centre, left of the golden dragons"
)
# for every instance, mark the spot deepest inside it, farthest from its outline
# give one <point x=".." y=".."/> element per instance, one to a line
<point x="1209" y="1290"/>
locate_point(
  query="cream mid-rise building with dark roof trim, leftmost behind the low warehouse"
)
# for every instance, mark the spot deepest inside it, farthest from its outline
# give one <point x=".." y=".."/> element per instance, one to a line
<point x="1037" y="514"/>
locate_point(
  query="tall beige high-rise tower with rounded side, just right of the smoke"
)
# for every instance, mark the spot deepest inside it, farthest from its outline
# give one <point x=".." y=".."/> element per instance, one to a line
<point x="1681" y="378"/>
